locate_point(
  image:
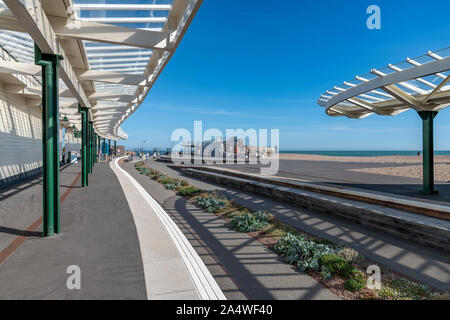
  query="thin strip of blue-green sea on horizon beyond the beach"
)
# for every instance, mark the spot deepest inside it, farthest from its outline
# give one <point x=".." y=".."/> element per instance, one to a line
<point x="364" y="153"/>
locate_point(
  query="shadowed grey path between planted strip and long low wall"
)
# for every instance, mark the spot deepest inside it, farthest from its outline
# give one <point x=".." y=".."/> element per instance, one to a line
<point x="415" y="261"/>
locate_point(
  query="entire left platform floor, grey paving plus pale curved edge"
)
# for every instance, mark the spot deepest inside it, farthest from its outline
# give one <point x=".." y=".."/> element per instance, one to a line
<point x="123" y="242"/>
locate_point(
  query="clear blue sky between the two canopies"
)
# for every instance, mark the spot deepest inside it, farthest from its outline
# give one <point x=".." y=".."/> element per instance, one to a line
<point x="264" y="63"/>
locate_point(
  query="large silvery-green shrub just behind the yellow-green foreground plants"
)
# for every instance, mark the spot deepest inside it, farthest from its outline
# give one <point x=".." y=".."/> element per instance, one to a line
<point x="303" y="253"/>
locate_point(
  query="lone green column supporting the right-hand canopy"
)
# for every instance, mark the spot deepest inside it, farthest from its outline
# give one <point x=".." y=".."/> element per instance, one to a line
<point x="428" y="151"/>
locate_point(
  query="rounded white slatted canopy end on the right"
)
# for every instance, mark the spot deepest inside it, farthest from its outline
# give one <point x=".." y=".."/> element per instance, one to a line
<point x="421" y="84"/>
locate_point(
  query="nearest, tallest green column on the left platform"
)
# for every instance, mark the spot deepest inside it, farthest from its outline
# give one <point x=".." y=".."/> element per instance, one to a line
<point x="50" y="140"/>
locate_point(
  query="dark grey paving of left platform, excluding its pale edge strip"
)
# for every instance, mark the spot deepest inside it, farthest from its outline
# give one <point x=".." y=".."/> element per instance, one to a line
<point x="98" y="235"/>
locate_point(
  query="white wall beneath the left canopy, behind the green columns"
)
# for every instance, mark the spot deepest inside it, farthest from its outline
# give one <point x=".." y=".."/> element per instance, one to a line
<point x="21" y="129"/>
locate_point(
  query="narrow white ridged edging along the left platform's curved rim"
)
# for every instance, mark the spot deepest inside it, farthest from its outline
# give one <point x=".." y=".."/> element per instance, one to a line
<point x="204" y="282"/>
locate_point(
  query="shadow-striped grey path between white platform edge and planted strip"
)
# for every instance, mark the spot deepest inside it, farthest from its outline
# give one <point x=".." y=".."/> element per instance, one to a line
<point x="243" y="267"/>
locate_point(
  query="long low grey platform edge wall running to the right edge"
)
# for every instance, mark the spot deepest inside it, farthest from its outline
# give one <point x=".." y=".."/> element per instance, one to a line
<point x="418" y="228"/>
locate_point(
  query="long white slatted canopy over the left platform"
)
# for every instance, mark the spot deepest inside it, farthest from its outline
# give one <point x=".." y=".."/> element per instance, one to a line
<point x="113" y="52"/>
